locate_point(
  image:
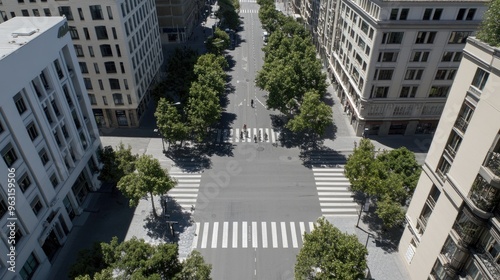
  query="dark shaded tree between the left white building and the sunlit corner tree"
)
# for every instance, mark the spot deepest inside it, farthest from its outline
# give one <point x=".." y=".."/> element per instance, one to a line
<point x="116" y="163"/>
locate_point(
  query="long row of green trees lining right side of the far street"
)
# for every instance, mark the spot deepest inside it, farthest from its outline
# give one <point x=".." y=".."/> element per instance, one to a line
<point x="292" y="73"/>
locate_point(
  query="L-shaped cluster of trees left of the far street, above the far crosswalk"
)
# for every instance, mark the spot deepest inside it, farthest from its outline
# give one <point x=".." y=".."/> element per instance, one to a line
<point x="203" y="108"/>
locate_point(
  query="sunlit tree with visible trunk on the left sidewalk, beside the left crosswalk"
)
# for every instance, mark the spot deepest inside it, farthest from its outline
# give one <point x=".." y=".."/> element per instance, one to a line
<point x="149" y="178"/>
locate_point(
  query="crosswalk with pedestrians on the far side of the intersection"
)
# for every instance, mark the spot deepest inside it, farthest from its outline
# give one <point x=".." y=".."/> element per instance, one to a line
<point x="265" y="135"/>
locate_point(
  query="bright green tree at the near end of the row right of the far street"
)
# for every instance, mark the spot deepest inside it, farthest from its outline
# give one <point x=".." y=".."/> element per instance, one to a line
<point x="314" y="115"/>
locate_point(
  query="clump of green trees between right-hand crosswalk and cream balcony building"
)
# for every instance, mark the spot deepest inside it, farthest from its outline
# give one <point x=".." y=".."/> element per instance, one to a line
<point x="388" y="177"/>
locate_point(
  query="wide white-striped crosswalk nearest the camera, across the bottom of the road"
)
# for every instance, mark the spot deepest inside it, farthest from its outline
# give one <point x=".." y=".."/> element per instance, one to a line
<point x="232" y="235"/>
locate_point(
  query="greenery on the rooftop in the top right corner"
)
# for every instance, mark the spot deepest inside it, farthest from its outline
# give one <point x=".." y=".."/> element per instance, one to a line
<point x="489" y="30"/>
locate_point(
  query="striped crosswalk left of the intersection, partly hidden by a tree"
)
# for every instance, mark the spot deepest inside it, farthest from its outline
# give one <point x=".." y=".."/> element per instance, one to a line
<point x="186" y="191"/>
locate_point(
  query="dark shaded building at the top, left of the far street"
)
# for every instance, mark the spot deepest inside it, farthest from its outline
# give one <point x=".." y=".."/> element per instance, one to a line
<point x="177" y="19"/>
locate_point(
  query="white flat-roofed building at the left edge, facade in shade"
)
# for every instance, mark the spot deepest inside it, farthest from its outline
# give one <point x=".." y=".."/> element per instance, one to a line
<point x="48" y="144"/>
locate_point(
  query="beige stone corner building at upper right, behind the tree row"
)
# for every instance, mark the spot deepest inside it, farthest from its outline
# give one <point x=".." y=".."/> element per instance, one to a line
<point x="393" y="62"/>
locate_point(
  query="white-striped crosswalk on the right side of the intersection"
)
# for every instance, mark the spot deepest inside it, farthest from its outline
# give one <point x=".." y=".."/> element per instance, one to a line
<point x="335" y="196"/>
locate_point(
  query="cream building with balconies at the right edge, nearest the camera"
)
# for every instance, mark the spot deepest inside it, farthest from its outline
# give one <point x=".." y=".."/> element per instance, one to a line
<point x="453" y="221"/>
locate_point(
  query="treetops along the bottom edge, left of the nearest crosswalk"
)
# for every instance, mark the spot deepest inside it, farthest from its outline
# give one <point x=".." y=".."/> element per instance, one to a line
<point x="136" y="259"/>
